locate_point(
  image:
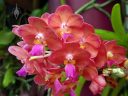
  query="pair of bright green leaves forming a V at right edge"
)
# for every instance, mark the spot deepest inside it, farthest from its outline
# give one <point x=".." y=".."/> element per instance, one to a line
<point x="119" y="33"/>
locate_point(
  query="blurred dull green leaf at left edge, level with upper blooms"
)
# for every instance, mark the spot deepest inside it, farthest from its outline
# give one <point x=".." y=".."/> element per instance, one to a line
<point x="6" y="38"/>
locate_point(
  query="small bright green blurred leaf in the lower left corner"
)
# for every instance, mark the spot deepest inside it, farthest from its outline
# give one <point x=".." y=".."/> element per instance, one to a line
<point x="8" y="77"/>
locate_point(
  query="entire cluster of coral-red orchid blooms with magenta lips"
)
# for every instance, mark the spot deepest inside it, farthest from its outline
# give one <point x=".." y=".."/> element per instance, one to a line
<point x="60" y="47"/>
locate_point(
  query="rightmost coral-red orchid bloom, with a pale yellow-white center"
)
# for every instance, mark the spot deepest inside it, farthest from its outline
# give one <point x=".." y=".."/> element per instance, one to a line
<point x="115" y="54"/>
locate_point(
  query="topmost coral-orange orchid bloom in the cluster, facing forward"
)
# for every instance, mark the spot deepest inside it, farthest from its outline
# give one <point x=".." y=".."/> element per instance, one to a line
<point x="62" y="21"/>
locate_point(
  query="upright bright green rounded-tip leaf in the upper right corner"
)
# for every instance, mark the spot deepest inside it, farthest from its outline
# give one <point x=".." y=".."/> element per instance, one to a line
<point x="116" y="20"/>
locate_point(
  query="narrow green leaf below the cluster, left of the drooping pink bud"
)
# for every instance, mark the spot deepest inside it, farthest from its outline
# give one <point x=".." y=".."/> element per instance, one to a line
<point x="80" y="85"/>
